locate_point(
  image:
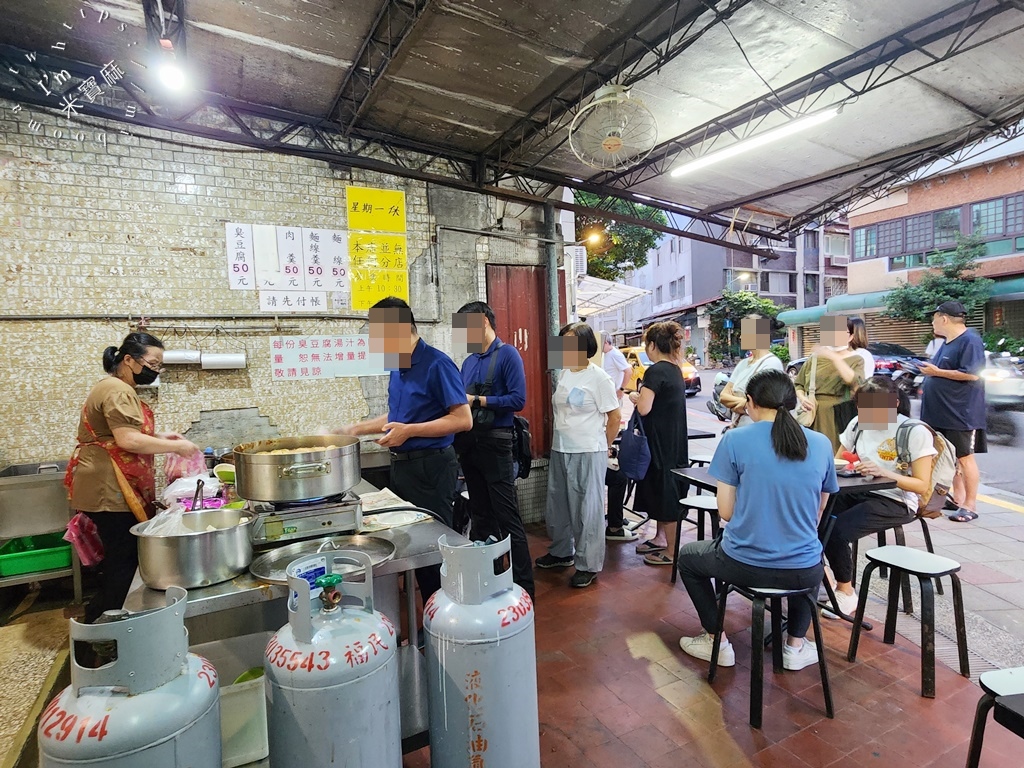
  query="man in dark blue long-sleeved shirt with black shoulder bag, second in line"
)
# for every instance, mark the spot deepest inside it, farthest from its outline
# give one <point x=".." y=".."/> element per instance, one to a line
<point x="486" y="452"/>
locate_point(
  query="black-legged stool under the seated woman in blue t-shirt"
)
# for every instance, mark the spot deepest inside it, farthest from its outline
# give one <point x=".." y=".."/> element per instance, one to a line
<point x="760" y="598"/>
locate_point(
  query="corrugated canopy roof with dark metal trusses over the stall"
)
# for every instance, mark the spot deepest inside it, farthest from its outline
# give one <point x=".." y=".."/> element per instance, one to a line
<point x="492" y="84"/>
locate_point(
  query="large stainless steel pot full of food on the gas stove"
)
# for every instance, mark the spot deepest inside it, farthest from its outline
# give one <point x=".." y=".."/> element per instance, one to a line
<point x="294" y="478"/>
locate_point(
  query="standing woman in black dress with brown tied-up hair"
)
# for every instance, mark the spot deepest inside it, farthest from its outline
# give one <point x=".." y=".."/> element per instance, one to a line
<point x="662" y="404"/>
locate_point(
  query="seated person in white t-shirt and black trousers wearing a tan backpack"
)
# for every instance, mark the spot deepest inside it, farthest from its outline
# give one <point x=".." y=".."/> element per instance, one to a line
<point x="872" y="436"/>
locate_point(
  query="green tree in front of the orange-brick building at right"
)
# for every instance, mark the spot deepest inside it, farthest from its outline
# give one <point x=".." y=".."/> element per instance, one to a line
<point x="952" y="278"/>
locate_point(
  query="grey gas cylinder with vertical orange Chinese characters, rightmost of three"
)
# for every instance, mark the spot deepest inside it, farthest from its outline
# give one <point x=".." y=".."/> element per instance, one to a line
<point x="482" y="663"/>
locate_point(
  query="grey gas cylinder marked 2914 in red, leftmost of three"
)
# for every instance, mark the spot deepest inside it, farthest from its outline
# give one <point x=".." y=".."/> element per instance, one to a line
<point x="155" y="706"/>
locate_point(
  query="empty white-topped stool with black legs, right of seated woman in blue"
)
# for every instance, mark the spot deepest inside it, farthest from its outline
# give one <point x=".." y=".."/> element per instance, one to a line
<point x="903" y="563"/>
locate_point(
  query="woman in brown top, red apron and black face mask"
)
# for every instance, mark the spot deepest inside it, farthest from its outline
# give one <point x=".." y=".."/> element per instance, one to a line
<point x="111" y="475"/>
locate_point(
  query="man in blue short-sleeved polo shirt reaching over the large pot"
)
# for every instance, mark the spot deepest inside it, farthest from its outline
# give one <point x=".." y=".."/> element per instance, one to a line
<point x="426" y="408"/>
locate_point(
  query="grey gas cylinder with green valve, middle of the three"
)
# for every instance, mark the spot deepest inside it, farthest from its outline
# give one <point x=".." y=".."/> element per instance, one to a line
<point x="332" y="671"/>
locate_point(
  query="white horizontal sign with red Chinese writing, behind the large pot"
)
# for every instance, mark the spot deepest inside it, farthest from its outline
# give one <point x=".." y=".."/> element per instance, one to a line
<point x="302" y="358"/>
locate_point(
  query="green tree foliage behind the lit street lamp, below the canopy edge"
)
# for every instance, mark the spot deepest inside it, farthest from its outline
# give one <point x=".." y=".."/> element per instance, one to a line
<point x="621" y="243"/>
